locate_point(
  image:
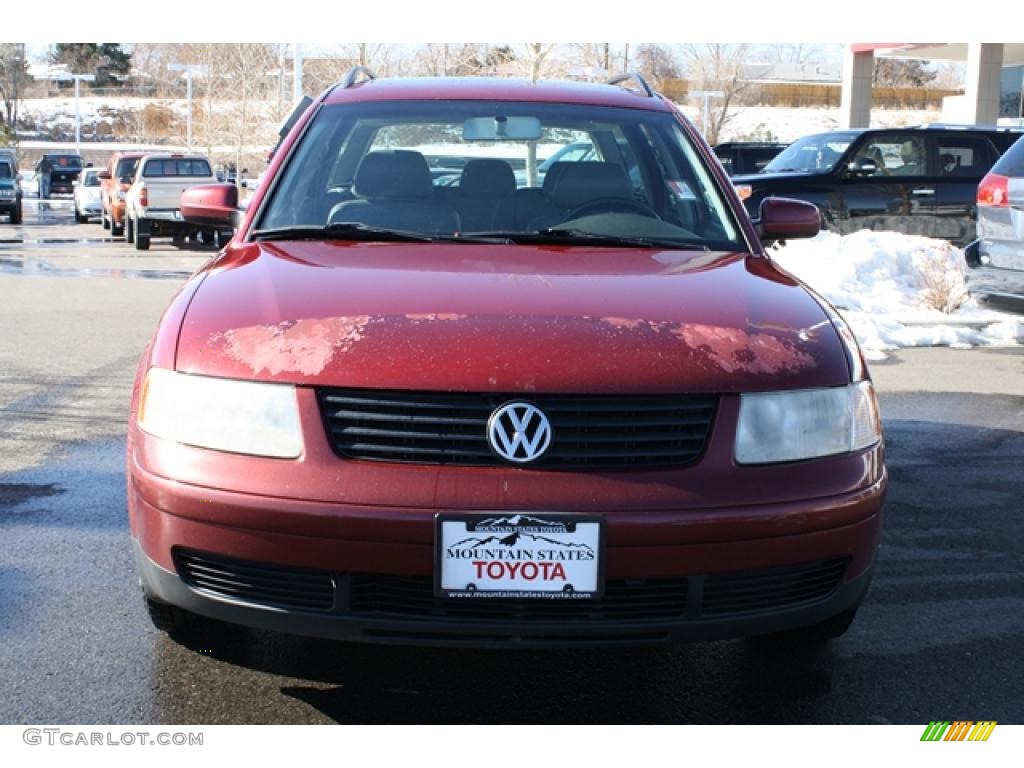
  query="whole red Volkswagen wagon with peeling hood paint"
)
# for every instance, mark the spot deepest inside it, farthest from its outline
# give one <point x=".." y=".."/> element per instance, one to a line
<point x="428" y="396"/>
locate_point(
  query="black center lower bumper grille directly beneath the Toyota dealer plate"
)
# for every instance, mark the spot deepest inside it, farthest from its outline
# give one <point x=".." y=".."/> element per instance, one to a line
<point x="635" y="600"/>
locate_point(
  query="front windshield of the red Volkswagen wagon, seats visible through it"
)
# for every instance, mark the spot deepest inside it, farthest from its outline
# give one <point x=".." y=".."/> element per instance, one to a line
<point x="455" y="169"/>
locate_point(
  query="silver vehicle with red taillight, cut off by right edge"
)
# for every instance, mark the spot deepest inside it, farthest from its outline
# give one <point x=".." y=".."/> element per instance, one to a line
<point x="997" y="259"/>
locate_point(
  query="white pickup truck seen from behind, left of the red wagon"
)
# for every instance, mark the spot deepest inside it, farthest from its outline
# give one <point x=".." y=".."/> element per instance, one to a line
<point x="153" y="202"/>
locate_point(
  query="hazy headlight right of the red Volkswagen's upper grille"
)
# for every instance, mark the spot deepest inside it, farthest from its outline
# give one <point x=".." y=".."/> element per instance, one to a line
<point x="806" y="423"/>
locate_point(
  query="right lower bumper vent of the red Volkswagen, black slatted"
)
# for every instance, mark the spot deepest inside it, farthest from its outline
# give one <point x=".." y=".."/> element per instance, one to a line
<point x="772" y="588"/>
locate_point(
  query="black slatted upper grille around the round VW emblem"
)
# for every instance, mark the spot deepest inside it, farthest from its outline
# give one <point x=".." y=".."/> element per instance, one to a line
<point x="451" y="429"/>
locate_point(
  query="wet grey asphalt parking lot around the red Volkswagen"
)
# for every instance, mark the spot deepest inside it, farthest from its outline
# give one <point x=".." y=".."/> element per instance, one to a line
<point x="940" y="636"/>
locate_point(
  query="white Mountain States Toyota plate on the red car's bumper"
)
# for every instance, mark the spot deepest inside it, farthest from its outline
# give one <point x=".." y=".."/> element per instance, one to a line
<point x="547" y="557"/>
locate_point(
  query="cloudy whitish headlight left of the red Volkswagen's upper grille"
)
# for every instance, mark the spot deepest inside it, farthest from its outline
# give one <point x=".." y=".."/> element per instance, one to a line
<point x="240" y="417"/>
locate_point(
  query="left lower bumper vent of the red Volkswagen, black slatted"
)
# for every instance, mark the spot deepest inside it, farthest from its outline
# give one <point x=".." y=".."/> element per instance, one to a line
<point x="259" y="583"/>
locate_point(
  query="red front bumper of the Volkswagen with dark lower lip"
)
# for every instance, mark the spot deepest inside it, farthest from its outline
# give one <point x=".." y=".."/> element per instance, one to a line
<point x="371" y="570"/>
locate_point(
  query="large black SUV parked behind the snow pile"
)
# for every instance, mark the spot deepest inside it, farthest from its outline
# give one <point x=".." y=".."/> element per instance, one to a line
<point x="920" y="181"/>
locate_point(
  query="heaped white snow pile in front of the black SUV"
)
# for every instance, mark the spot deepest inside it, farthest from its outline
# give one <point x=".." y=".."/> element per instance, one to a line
<point x="887" y="286"/>
